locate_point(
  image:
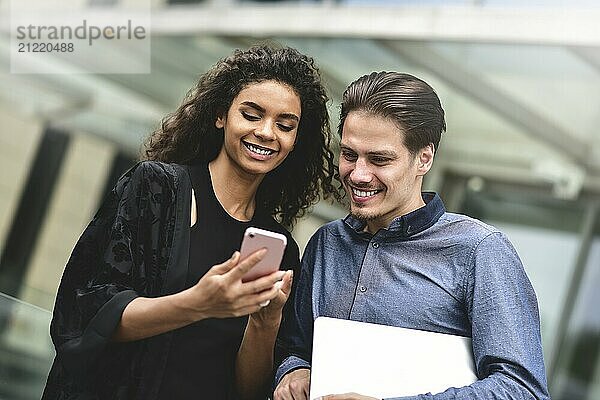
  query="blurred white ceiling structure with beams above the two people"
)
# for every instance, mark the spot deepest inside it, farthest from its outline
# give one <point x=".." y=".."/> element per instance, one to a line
<point x="520" y="86"/>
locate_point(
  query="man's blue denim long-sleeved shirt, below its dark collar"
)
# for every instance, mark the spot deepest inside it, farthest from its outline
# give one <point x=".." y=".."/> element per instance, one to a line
<point x="430" y="270"/>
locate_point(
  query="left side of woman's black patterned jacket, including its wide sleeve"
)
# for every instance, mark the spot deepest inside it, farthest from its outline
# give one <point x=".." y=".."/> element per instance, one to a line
<point x="132" y="247"/>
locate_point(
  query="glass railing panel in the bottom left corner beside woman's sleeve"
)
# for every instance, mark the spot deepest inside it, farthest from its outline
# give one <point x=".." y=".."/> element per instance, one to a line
<point x="26" y="351"/>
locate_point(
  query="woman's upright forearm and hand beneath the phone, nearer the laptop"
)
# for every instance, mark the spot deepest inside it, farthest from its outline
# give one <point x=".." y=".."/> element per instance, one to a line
<point x="254" y="363"/>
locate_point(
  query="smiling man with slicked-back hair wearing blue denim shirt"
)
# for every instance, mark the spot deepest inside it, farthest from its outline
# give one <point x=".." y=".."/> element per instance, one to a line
<point x="400" y="259"/>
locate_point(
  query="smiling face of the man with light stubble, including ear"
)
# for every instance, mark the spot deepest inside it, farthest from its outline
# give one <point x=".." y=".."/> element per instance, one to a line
<point x="382" y="178"/>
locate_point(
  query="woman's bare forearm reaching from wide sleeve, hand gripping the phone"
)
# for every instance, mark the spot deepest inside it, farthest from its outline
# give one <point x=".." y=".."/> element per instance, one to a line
<point x="220" y="293"/>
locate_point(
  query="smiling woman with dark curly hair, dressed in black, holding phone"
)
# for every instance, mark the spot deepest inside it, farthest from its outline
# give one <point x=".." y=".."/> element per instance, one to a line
<point x="152" y="304"/>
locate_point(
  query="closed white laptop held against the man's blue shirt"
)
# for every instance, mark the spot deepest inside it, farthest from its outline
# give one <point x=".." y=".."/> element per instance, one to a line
<point x="385" y="361"/>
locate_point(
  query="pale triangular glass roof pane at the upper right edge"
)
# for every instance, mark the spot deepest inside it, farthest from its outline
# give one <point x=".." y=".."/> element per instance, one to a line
<point x="549" y="80"/>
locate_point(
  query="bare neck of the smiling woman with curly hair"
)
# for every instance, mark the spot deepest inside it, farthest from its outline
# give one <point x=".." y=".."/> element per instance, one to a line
<point x="235" y="189"/>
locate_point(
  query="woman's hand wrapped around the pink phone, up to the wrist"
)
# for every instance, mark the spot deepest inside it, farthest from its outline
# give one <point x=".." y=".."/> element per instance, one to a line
<point x="220" y="293"/>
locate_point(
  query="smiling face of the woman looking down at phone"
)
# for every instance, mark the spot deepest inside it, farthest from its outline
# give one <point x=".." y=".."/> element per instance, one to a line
<point x="260" y="127"/>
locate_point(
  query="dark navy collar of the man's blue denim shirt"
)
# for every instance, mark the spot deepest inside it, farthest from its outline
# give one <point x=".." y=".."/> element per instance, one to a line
<point x="409" y="224"/>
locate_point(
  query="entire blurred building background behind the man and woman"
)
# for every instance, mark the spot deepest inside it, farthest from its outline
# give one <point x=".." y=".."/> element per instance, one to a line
<point x="520" y="83"/>
